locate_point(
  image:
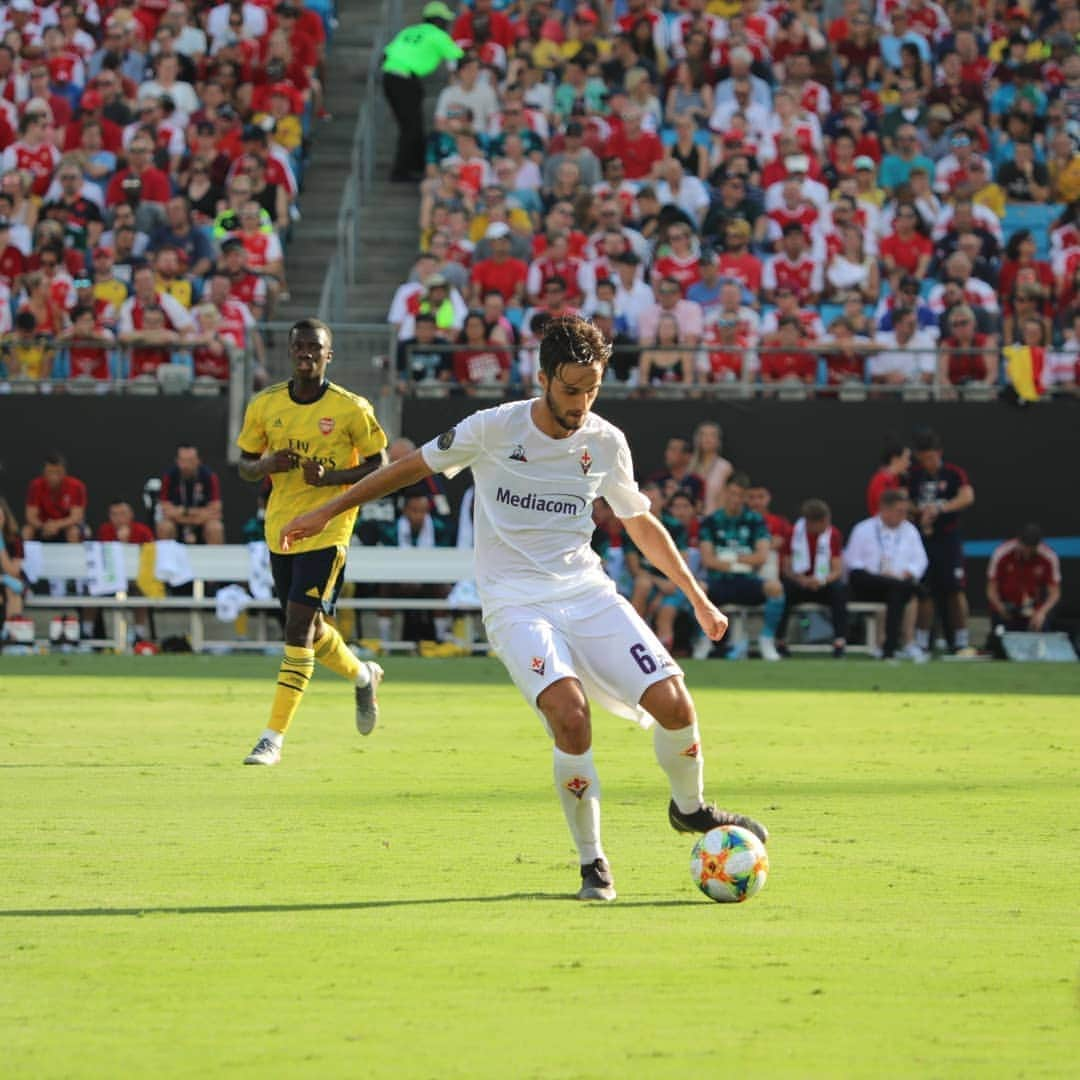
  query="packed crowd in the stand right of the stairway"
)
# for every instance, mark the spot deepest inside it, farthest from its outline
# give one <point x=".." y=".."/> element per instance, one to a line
<point x="821" y="195"/>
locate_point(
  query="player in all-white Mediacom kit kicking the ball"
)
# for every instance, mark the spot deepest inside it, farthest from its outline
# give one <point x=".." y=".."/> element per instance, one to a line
<point x="552" y="615"/>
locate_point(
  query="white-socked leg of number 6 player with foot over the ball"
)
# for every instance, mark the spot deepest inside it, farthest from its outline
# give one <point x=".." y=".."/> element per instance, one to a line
<point x="677" y="739"/>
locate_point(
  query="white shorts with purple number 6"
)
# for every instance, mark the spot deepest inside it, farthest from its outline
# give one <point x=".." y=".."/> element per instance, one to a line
<point x="601" y="641"/>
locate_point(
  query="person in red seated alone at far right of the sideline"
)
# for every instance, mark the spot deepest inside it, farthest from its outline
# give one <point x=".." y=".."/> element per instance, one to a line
<point x="1023" y="583"/>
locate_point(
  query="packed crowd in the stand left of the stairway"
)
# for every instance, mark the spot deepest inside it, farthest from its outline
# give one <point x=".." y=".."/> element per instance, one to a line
<point x="151" y="159"/>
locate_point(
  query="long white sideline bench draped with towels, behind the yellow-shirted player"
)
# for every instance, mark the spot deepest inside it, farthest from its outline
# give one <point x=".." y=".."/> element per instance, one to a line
<point x="232" y="564"/>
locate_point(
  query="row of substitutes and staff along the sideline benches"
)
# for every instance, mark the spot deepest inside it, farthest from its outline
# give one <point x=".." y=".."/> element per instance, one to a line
<point x="907" y="555"/>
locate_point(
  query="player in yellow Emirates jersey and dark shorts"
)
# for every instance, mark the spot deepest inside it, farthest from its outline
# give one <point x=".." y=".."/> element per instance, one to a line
<point x="309" y="435"/>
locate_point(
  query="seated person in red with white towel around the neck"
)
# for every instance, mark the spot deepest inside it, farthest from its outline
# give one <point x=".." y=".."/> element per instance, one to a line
<point x="812" y="571"/>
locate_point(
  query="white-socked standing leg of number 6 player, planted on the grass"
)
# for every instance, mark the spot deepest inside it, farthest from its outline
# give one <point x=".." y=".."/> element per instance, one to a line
<point x="565" y="708"/>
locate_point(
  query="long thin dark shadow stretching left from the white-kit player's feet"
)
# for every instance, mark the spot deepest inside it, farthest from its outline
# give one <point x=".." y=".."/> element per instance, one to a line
<point x="359" y="906"/>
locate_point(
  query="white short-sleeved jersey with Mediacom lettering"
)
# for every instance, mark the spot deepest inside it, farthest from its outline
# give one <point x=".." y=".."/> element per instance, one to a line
<point x="534" y="502"/>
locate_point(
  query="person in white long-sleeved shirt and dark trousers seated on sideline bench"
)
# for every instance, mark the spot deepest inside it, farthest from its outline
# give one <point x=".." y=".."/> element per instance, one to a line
<point x="885" y="560"/>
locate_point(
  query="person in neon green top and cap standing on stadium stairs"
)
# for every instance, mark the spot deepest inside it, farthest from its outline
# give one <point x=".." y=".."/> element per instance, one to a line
<point x="415" y="52"/>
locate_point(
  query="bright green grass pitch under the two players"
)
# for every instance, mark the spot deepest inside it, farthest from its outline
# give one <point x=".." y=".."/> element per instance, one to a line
<point x="398" y="907"/>
